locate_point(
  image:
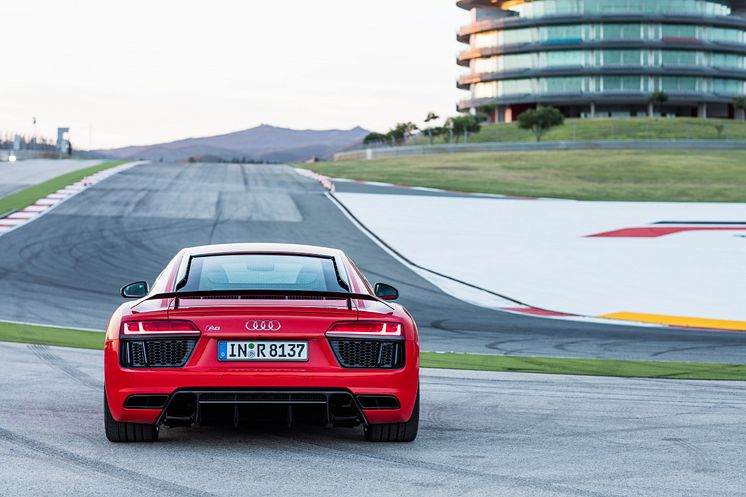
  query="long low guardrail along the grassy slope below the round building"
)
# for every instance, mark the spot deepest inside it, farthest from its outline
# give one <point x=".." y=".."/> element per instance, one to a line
<point x="378" y="153"/>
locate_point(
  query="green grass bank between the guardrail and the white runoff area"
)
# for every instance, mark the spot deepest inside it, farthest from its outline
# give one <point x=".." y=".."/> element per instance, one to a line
<point x="623" y="175"/>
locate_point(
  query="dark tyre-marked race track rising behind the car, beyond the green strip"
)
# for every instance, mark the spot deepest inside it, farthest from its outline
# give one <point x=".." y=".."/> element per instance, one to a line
<point x="66" y="267"/>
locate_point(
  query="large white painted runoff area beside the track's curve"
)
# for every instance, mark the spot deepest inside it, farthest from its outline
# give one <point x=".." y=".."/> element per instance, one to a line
<point x="538" y="251"/>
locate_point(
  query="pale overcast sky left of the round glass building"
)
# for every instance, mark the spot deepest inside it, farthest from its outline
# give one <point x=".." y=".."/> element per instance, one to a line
<point x="148" y="71"/>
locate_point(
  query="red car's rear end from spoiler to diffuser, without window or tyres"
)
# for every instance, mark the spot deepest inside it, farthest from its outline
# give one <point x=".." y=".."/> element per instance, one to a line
<point x="231" y="357"/>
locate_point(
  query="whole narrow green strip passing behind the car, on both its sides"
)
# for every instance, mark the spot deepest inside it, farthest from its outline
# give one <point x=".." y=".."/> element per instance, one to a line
<point x="24" y="333"/>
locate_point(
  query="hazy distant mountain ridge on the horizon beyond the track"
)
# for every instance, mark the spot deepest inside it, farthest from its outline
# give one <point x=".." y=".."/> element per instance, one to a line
<point x="263" y="143"/>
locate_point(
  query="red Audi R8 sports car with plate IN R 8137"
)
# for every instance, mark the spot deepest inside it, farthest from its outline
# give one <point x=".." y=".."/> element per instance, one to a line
<point x="255" y="333"/>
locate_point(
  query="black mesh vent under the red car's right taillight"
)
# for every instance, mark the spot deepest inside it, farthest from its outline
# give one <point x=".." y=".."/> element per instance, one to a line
<point x="372" y="354"/>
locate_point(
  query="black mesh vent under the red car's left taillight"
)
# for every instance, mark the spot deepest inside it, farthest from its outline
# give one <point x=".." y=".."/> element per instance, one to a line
<point x="157" y="353"/>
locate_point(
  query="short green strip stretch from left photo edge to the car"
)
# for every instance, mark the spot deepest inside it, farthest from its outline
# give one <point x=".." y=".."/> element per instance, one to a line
<point x="62" y="337"/>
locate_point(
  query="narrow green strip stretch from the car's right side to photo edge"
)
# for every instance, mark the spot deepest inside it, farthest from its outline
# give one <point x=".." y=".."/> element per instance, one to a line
<point x="586" y="367"/>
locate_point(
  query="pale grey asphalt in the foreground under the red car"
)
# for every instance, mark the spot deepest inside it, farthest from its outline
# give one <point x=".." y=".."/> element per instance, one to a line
<point x="482" y="434"/>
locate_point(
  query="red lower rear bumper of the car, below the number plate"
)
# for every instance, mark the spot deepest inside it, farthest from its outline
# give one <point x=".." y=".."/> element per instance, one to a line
<point x="242" y="381"/>
